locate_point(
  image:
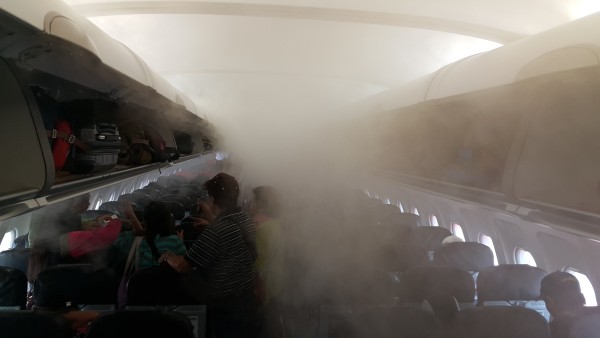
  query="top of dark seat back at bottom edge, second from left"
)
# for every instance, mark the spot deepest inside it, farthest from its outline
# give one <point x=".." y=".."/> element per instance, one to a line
<point x="140" y="323"/>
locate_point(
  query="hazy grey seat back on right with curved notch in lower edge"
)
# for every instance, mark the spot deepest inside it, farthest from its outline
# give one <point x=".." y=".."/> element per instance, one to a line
<point x="418" y="283"/>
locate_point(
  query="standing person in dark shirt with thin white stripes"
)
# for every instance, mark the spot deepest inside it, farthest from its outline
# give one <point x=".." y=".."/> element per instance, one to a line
<point x="225" y="251"/>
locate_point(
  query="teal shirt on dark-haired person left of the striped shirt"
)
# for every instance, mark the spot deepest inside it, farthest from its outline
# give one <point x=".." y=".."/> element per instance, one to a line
<point x="171" y="243"/>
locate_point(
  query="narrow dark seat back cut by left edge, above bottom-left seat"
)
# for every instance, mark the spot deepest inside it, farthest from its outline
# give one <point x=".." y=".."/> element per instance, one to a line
<point x="13" y="288"/>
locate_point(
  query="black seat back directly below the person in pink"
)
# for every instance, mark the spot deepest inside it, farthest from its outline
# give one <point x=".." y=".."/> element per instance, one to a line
<point x="77" y="284"/>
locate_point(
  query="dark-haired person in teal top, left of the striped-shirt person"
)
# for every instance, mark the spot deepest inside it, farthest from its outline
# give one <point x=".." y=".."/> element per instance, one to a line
<point x="159" y="234"/>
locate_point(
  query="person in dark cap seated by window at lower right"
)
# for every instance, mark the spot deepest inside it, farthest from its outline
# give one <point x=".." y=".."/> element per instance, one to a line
<point x="565" y="302"/>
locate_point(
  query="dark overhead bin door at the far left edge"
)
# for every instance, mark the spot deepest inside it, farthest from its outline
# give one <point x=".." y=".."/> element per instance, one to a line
<point x="22" y="169"/>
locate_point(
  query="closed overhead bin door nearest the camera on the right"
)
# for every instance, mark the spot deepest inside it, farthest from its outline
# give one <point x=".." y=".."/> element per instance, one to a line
<point x="560" y="161"/>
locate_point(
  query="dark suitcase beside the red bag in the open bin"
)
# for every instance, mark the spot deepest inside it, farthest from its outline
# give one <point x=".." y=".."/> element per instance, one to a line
<point x="96" y="148"/>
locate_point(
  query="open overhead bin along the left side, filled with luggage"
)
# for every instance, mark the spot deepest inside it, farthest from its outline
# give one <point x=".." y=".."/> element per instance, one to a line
<point x="97" y="88"/>
